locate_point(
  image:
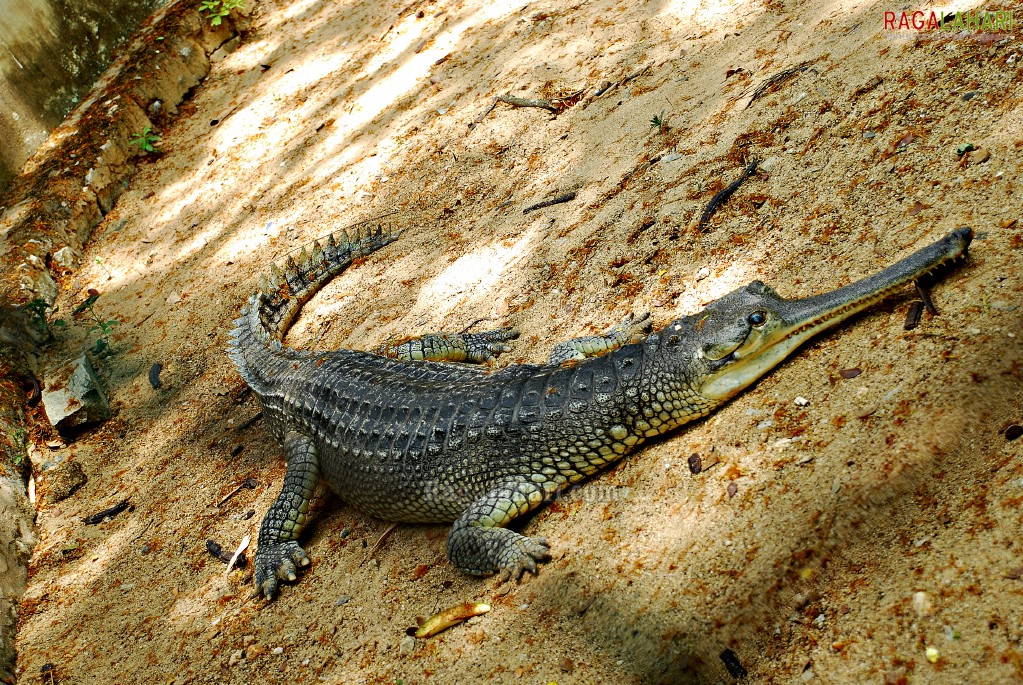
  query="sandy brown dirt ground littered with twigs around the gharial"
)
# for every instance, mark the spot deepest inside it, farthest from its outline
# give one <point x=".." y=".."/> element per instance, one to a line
<point x="877" y="522"/>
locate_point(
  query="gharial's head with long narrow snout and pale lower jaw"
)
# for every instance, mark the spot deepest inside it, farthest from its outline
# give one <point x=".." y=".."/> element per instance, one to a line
<point x="752" y="330"/>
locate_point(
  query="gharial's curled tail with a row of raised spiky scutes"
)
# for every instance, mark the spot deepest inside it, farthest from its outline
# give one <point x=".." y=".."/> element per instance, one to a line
<point x="256" y="341"/>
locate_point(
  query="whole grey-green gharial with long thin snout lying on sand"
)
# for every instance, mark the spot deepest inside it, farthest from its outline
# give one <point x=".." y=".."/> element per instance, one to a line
<point x="407" y="439"/>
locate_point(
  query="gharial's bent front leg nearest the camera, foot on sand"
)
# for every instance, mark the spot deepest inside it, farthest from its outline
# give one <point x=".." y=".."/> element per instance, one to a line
<point x="480" y="545"/>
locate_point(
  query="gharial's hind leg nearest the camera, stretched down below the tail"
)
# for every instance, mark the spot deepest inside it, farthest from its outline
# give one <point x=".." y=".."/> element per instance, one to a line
<point x="279" y="555"/>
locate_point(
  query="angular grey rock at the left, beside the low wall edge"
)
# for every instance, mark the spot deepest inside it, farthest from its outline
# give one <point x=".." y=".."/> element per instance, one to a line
<point x="73" y="396"/>
